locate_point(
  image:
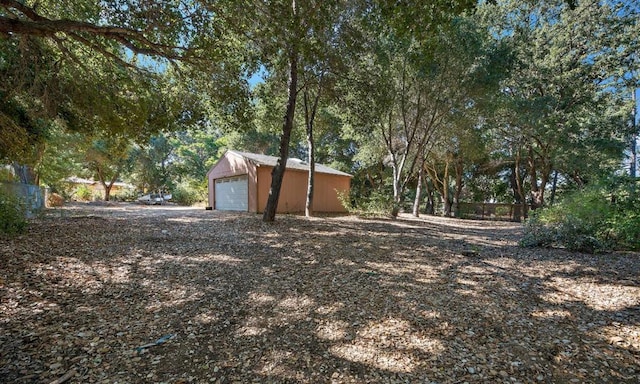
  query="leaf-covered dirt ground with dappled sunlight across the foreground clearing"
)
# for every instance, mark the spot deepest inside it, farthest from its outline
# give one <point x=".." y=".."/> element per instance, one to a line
<point x="322" y="300"/>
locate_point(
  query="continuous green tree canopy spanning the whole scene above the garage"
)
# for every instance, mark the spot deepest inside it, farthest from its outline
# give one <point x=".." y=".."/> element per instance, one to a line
<point x="433" y="103"/>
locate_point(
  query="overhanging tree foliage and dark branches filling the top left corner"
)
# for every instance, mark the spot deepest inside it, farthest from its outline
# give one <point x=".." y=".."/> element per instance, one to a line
<point x="72" y="63"/>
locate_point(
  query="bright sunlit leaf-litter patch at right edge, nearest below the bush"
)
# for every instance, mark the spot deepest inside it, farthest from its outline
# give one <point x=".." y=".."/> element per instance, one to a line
<point x="600" y="297"/>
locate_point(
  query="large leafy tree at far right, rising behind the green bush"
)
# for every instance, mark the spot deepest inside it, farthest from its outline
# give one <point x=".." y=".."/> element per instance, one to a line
<point x="564" y="97"/>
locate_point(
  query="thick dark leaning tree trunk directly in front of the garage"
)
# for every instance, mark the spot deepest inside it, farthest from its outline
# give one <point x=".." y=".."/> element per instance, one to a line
<point x="278" y="171"/>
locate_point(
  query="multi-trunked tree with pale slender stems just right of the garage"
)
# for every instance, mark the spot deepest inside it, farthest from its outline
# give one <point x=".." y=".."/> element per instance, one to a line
<point x="421" y="86"/>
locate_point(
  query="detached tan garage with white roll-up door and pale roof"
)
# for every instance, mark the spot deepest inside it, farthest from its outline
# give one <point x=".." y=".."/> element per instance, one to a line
<point x="240" y="181"/>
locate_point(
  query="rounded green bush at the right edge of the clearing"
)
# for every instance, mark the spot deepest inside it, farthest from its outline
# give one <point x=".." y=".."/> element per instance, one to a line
<point x="600" y="217"/>
